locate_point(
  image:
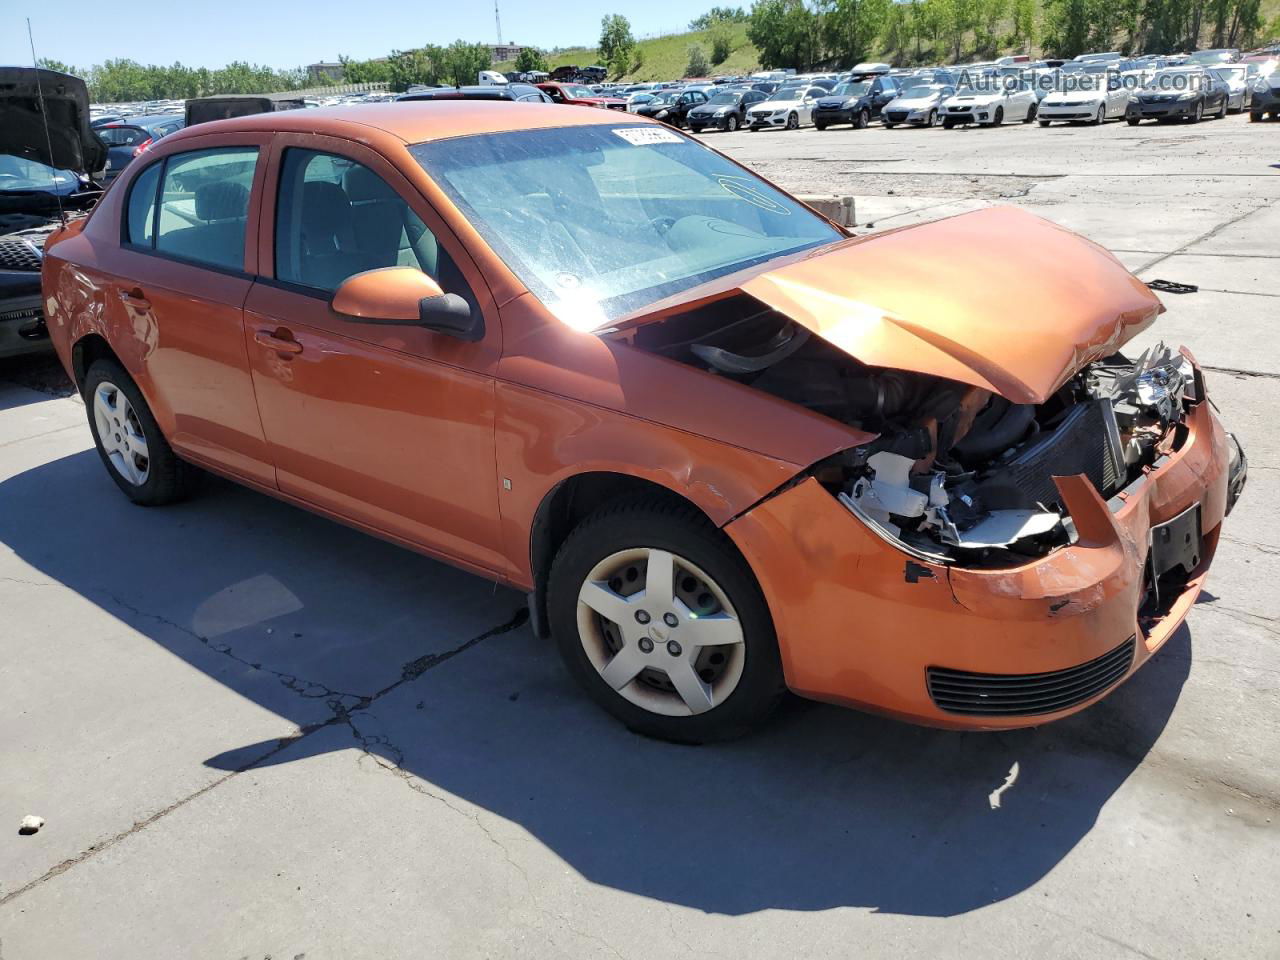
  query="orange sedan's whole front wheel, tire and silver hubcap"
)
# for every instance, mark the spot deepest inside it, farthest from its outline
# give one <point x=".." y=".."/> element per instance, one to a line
<point x="661" y="620"/>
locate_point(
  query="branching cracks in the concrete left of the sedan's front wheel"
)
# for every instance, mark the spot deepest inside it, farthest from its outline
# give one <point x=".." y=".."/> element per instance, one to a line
<point x="340" y="715"/>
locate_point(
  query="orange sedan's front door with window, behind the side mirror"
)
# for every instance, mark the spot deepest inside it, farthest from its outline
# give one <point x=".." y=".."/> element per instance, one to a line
<point x="388" y="427"/>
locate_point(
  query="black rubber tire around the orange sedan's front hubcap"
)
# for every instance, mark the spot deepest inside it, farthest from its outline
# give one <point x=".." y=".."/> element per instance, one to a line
<point x="659" y="524"/>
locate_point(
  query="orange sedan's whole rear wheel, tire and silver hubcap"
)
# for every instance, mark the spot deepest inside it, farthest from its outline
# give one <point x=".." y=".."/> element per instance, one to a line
<point x="129" y="440"/>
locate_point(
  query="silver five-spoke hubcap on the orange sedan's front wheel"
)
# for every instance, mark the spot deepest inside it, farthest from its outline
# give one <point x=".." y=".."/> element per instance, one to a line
<point x="685" y="656"/>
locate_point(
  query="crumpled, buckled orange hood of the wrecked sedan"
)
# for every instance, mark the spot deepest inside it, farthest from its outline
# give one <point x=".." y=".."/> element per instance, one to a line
<point x="999" y="299"/>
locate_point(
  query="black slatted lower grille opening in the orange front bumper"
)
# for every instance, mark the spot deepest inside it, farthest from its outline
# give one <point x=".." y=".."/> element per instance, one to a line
<point x="1027" y="694"/>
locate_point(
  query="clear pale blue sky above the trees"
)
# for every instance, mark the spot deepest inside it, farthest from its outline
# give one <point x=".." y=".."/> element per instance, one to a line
<point x="212" y="33"/>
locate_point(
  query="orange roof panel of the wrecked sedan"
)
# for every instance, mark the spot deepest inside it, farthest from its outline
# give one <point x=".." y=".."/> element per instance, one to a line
<point x="414" y="121"/>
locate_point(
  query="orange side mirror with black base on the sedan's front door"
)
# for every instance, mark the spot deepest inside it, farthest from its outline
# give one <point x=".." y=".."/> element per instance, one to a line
<point x="405" y="296"/>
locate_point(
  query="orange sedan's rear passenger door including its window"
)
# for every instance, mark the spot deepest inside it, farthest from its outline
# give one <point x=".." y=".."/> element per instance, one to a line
<point x="180" y="280"/>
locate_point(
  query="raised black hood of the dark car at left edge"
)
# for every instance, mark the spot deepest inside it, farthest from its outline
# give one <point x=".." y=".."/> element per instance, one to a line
<point x="67" y="143"/>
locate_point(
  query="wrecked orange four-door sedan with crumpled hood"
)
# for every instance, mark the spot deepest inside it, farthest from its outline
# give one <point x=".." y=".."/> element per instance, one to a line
<point x="728" y="449"/>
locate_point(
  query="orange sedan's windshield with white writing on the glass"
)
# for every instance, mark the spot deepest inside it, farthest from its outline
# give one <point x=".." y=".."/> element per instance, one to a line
<point x="600" y="222"/>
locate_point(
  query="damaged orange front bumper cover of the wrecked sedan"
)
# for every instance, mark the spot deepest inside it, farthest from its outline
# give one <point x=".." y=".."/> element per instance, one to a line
<point x="863" y="624"/>
